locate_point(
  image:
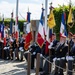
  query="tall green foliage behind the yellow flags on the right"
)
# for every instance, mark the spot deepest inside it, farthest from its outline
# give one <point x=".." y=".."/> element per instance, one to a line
<point x="57" y="13"/>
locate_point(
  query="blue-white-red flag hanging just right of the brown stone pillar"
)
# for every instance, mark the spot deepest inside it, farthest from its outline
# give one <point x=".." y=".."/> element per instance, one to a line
<point x="41" y="33"/>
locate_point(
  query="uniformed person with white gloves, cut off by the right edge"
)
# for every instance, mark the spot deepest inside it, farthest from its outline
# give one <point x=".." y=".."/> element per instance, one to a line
<point x="71" y="58"/>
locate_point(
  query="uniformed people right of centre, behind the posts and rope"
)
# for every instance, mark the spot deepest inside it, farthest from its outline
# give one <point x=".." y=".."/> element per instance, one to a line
<point x="61" y="52"/>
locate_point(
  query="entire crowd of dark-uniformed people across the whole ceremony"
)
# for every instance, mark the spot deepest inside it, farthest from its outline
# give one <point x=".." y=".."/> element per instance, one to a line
<point x="60" y="52"/>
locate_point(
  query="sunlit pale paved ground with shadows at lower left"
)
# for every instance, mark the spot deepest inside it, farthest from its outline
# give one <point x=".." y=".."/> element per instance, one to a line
<point x="8" y="67"/>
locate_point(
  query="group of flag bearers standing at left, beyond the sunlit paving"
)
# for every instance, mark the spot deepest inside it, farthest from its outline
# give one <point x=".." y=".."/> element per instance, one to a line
<point x="11" y="48"/>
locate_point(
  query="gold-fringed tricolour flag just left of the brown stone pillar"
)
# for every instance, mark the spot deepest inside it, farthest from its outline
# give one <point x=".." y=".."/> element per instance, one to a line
<point x="28" y="37"/>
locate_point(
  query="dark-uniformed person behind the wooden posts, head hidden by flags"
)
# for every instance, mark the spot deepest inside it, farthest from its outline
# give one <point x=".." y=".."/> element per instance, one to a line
<point x="33" y="49"/>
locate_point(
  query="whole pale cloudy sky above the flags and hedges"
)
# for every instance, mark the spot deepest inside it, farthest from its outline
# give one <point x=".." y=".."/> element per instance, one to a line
<point x="7" y="6"/>
